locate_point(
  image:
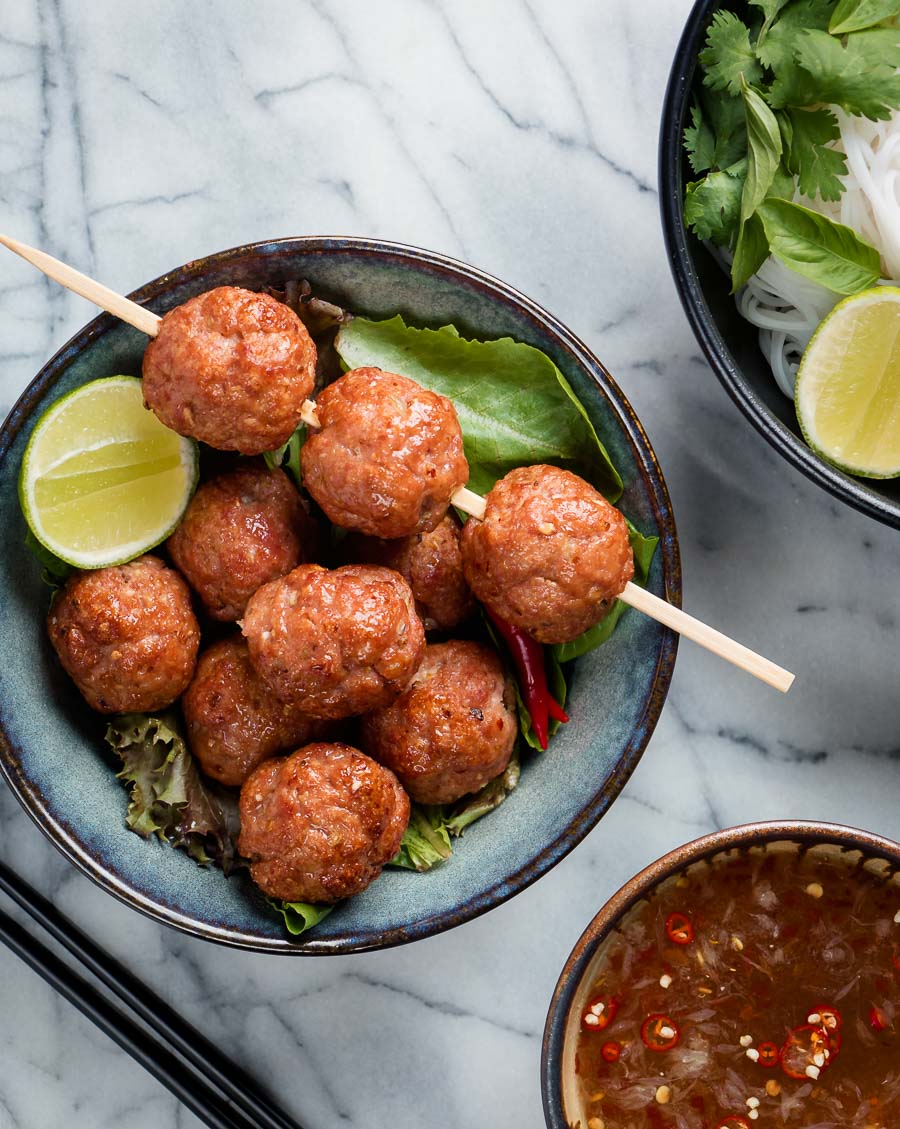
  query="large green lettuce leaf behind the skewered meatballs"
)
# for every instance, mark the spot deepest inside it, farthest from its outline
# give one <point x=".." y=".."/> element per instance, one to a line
<point x="515" y="407"/>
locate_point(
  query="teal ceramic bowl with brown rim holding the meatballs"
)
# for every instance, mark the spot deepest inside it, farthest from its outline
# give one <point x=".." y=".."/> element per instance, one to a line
<point x="53" y="752"/>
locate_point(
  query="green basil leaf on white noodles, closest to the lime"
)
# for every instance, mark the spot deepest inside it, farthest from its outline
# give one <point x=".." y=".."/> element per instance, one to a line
<point x="820" y="250"/>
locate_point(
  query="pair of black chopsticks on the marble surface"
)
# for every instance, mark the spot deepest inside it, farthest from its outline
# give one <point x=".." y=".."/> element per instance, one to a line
<point x="198" y="1073"/>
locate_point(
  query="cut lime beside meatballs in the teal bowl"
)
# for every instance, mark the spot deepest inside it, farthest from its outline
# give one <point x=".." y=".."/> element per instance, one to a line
<point x="103" y="480"/>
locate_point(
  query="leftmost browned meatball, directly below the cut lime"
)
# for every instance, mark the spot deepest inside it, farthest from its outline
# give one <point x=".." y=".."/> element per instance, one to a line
<point x="127" y="635"/>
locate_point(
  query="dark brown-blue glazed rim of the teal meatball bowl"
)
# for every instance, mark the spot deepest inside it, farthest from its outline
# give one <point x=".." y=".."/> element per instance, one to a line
<point x="66" y="839"/>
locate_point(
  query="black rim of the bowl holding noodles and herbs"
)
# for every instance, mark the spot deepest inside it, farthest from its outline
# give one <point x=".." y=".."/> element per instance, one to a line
<point x="680" y="250"/>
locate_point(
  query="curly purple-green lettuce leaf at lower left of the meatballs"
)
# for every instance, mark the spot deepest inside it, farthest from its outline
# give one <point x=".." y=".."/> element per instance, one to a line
<point x="170" y="799"/>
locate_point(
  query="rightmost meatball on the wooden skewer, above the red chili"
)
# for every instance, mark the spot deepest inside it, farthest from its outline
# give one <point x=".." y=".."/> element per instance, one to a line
<point x="551" y="556"/>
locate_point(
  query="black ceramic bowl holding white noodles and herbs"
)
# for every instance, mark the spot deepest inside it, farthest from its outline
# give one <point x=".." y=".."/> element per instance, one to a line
<point x="730" y="343"/>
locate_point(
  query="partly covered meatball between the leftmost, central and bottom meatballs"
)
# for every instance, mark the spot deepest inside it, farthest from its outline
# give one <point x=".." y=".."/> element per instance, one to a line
<point x="234" y="721"/>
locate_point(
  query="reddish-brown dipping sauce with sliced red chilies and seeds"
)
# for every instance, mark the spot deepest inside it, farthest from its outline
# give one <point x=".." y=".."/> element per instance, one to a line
<point x="762" y="990"/>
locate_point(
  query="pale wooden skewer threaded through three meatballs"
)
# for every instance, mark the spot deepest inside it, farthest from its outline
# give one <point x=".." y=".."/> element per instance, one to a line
<point x="466" y="500"/>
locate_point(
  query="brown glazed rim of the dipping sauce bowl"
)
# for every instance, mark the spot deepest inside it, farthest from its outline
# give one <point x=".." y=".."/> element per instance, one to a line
<point x="807" y="833"/>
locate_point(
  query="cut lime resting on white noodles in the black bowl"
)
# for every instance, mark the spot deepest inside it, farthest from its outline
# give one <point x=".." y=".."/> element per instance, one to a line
<point x="849" y="386"/>
